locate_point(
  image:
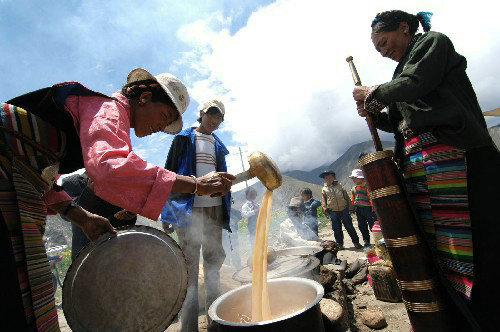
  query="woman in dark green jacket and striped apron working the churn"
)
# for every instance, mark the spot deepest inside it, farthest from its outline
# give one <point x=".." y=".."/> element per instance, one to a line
<point x="449" y="161"/>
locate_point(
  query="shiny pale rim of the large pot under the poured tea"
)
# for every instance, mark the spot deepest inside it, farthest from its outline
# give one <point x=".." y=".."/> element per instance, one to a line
<point x="315" y="285"/>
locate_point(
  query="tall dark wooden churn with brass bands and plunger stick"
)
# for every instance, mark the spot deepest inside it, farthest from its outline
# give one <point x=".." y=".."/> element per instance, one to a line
<point x="423" y="294"/>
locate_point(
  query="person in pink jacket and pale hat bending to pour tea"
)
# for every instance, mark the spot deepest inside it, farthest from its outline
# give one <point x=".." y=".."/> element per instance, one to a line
<point x="61" y="129"/>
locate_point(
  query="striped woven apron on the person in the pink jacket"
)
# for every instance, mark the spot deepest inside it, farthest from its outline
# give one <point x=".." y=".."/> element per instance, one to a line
<point x="29" y="152"/>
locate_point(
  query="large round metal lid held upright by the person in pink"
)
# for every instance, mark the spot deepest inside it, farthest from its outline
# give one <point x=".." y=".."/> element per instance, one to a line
<point x="135" y="280"/>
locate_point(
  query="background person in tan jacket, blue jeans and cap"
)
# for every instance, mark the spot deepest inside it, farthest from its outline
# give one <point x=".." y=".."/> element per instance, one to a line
<point x="336" y="204"/>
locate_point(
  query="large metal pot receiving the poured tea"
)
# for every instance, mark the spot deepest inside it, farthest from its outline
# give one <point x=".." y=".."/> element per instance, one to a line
<point x="294" y="302"/>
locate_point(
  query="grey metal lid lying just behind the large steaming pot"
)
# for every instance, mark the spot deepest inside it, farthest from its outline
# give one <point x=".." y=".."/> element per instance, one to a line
<point x="282" y="266"/>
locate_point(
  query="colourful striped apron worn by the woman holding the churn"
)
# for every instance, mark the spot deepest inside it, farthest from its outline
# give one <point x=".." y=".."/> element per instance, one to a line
<point x="436" y="179"/>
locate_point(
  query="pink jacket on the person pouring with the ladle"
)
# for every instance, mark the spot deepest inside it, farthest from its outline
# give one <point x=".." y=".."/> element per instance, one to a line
<point x="120" y="176"/>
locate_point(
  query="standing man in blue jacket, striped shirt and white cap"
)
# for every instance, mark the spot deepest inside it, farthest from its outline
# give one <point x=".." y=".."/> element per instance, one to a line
<point x="198" y="220"/>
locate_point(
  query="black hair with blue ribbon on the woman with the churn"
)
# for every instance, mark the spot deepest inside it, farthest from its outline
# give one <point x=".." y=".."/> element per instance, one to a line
<point x="390" y="20"/>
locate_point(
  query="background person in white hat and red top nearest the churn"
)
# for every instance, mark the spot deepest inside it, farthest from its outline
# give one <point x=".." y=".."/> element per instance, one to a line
<point x="362" y="205"/>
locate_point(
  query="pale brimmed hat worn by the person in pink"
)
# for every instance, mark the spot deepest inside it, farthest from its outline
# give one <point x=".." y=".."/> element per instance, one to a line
<point x="173" y="87"/>
